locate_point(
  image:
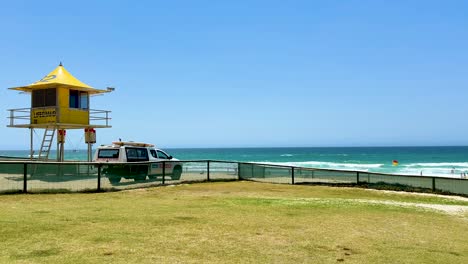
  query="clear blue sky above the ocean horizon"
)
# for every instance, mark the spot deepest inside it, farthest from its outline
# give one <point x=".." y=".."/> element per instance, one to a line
<point x="250" y="73"/>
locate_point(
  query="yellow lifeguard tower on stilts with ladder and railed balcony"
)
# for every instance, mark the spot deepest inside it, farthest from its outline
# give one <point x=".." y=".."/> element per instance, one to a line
<point x="59" y="102"/>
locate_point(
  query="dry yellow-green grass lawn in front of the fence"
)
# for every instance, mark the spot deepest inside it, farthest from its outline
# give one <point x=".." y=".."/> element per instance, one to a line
<point x="234" y="222"/>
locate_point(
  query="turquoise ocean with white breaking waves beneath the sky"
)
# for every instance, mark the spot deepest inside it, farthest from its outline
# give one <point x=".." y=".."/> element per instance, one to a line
<point x="428" y="161"/>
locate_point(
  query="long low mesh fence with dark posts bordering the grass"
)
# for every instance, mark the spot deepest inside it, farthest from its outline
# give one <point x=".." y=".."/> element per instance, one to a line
<point x="34" y="176"/>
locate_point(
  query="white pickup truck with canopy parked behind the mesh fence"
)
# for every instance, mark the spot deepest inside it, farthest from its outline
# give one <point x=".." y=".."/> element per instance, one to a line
<point x="120" y="155"/>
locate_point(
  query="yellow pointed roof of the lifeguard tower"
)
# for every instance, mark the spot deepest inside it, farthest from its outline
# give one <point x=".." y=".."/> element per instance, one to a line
<point x="59" y="77"/>
